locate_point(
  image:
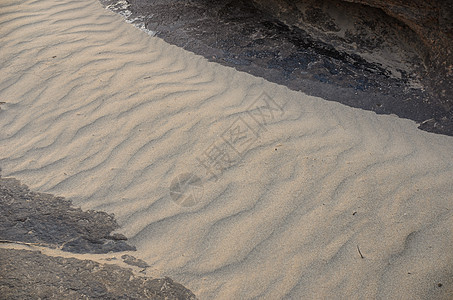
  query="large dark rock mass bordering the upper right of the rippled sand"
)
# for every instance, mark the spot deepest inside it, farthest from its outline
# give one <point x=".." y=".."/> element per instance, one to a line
<point x="356" y="54"/>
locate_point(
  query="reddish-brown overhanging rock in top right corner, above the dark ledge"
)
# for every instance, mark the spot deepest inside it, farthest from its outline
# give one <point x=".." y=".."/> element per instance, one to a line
<point x="430" y="33"/>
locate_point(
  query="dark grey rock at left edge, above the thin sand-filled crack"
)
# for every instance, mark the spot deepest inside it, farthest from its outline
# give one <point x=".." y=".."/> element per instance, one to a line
<point x="42" y="218"/>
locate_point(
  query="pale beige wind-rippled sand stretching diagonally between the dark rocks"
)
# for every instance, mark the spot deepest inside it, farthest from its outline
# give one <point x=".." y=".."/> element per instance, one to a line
<point x="101" y="113"/>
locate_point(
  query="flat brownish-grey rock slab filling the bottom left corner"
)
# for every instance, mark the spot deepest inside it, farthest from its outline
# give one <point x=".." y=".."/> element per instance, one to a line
<point x="31" y="275"/>
